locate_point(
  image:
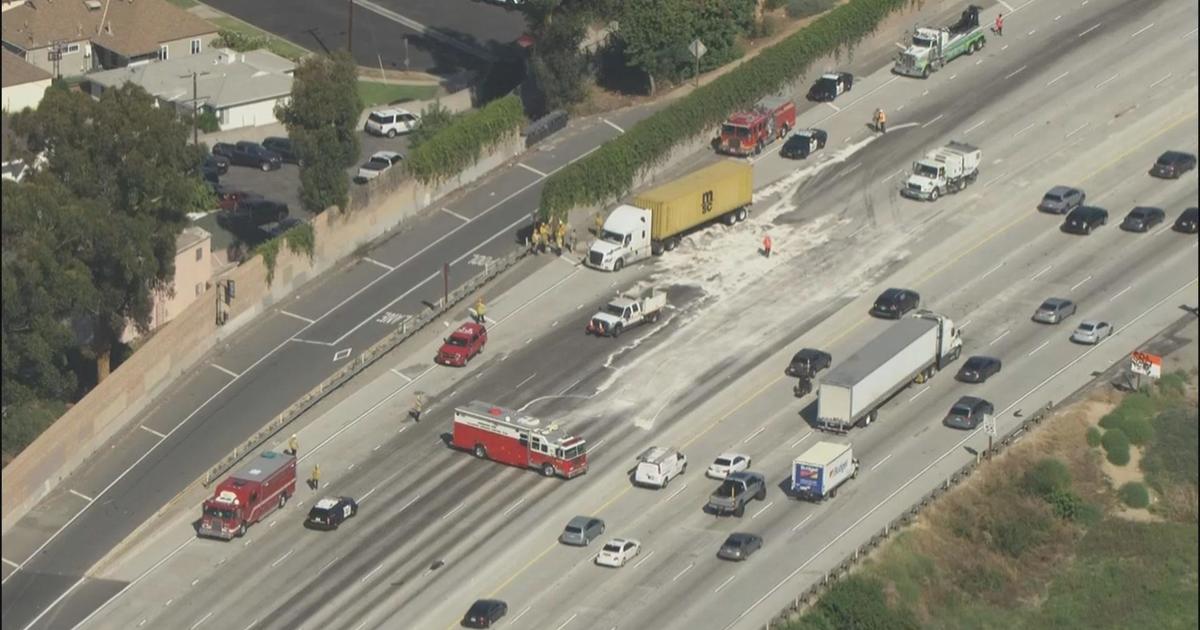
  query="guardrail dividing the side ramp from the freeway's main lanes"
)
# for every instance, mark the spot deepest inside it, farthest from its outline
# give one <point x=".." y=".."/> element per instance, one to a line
<point x="409" y="327"/>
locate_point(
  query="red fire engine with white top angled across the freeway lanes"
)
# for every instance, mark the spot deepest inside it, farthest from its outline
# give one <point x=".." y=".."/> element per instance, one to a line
<point x="506" y="436"/>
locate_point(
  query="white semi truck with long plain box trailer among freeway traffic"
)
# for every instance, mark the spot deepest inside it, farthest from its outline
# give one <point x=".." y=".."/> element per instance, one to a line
<point x="910" y="351"/>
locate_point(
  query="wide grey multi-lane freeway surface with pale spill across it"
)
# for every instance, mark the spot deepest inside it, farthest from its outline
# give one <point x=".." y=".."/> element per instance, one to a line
<point x="1084" y="94"/>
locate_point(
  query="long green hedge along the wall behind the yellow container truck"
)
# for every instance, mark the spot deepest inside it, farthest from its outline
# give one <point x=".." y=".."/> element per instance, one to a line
<point x="609" y="173"/>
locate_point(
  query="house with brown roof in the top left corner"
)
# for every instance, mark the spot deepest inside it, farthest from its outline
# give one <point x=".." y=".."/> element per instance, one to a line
<point x="73" y="38"/>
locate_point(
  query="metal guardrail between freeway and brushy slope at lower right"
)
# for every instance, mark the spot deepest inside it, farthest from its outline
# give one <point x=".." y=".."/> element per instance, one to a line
<point x="809" y="597"/>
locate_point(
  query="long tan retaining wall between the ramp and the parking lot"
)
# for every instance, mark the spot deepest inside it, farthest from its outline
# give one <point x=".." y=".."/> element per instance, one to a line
<point x="177" y="347"/>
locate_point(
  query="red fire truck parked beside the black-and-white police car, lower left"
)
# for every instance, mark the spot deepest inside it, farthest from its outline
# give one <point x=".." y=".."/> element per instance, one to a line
<point x="249" y="496"/>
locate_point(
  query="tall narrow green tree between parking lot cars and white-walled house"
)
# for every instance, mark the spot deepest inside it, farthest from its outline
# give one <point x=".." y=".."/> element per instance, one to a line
<point x="323" y="121"/>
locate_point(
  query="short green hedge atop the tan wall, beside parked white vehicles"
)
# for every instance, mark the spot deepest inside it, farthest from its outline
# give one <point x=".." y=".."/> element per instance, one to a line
<point x="459" y="146"/>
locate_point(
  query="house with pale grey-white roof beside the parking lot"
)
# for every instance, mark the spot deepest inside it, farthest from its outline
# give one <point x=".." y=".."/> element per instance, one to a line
<point x="241" y="88"/>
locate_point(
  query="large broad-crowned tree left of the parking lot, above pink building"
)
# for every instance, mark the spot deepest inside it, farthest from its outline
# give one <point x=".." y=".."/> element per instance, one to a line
<point x="129" y="163"/>
